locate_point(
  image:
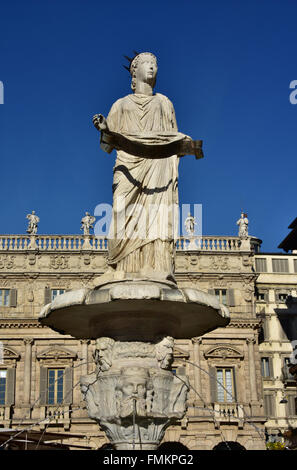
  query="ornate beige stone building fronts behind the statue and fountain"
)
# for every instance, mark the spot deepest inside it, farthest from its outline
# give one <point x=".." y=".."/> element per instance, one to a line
<point x="40" y="369"/>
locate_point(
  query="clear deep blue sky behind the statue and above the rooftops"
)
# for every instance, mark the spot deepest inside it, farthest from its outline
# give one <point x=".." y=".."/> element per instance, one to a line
<point x="226" y="66"/>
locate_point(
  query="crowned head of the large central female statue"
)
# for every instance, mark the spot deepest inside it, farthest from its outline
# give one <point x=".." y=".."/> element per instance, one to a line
<point x="144" y="68"/>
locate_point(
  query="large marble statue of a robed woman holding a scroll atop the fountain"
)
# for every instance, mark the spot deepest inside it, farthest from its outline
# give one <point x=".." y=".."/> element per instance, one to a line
<point x="142" y="127"/>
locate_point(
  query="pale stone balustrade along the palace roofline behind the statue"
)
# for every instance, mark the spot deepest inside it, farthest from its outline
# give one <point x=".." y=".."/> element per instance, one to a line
<point x="92" y="242"/>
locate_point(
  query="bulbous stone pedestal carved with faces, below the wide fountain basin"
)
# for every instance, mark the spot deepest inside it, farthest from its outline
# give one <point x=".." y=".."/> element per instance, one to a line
<point x="132" y="394"/>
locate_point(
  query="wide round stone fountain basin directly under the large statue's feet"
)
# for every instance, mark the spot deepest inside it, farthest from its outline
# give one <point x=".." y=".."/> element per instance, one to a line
<point x="130" y="312"/>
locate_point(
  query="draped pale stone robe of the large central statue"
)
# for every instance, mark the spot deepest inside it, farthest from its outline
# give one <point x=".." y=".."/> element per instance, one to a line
<point x="143" y="230"/>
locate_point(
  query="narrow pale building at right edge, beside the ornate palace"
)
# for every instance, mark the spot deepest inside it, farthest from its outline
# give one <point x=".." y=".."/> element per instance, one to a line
<point x="279" y="319"/>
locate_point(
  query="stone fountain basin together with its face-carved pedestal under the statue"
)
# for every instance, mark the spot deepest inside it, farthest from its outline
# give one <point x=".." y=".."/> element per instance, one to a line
<point x="133" y="394"/>
